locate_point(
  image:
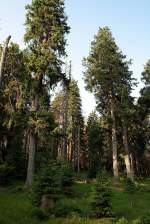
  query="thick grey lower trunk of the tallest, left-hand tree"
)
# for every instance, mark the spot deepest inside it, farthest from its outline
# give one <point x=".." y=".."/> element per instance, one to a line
<point x="31" y="161"/>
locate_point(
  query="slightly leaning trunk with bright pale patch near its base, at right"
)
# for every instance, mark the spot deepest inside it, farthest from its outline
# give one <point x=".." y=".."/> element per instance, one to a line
<point x="129" y="167"/>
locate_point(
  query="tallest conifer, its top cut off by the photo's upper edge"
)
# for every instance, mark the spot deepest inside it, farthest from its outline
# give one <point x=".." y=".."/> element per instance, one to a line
<point x="46" y="27"/>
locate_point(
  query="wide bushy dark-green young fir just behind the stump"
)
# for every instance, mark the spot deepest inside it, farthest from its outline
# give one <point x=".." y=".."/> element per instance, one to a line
<point x="52" y="181"/>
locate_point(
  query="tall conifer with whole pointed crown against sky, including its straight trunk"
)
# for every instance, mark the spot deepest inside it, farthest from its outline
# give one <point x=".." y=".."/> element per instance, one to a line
<point x="103" y="76"/>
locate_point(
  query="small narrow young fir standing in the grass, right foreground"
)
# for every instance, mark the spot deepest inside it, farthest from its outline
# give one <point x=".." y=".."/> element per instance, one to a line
<point x="102" y="204"/>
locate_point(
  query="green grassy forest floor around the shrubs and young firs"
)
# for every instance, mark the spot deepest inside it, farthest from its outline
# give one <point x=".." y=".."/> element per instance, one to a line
<point x="16" y="206"/>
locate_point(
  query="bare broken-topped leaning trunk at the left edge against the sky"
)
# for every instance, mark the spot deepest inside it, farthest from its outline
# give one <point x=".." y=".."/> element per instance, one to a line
<point x="3" y="57"/>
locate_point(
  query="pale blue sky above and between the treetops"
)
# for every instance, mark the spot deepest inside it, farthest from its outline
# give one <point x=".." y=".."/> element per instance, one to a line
<point x="128" y="19"/>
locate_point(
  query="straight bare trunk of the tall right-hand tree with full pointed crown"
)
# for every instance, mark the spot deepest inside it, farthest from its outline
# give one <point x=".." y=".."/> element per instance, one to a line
<point x="114" y="143"/>
